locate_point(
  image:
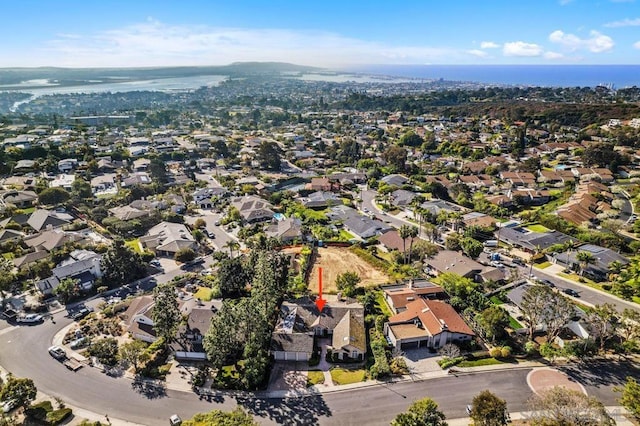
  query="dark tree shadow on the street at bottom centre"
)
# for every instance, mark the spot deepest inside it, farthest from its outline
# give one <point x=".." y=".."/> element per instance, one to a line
<point x="305" y="410"/>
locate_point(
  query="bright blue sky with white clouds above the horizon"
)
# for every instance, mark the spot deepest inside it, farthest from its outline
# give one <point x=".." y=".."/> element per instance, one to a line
<point x="73" y="33"/>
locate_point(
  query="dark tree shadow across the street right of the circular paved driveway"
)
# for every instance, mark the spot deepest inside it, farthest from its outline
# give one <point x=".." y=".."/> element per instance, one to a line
<point x="601" y="373"/>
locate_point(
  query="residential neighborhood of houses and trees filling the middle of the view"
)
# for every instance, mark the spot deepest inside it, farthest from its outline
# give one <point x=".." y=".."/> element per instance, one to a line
<point x="257" y="250"/>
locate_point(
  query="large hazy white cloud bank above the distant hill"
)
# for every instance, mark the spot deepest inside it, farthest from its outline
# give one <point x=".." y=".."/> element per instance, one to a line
<point x="154" y="43"/>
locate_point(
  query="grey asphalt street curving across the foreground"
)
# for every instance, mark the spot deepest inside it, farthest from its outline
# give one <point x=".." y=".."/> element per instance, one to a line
<point x="24" y="353"/>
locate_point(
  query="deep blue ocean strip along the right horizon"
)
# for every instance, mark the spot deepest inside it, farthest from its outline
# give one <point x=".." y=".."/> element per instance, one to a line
<point x="618" y="76"/>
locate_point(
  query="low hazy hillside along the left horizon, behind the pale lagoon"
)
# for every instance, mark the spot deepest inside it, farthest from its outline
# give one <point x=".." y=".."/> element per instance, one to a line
<point x="74" y="76"/>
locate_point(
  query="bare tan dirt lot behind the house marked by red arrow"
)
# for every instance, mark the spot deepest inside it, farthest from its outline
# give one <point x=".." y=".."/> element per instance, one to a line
<point x="337" y="260"/>
